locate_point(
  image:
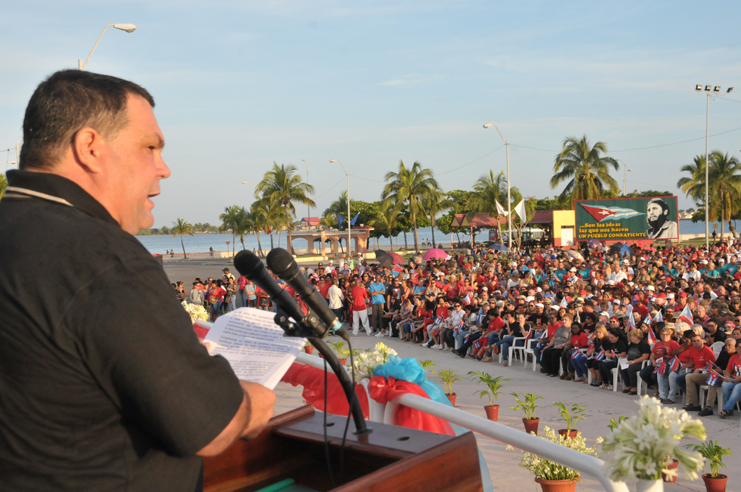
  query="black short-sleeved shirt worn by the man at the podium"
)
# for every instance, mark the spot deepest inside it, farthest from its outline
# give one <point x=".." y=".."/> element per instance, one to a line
<point x="103" y="384"/>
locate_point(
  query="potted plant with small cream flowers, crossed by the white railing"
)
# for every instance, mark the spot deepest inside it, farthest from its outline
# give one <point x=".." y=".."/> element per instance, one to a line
<point x="550" y="475"/>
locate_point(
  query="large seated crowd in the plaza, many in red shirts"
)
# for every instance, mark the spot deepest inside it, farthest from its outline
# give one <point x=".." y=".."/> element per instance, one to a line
<point x="670" y="317"/>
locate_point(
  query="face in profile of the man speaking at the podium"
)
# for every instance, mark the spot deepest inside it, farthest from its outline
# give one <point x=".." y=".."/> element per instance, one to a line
<point x="133" y="168"/>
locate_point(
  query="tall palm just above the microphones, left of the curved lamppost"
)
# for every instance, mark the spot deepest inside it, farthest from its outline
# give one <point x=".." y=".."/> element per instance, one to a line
<point x="283" y="186"/>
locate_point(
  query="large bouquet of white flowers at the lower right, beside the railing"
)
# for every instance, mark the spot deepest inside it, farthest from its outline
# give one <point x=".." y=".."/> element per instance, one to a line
<point x="642" y="446"/>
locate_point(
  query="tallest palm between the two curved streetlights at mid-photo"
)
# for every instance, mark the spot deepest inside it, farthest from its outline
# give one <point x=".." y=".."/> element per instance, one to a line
<point x="409" y="186"/>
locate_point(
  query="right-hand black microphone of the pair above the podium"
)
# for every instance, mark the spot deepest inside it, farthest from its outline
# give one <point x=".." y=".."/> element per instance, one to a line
<point x="281" y="262"/>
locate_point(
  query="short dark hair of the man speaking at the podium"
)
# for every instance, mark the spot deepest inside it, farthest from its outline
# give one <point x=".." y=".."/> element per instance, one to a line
<point x="68" y="101"/>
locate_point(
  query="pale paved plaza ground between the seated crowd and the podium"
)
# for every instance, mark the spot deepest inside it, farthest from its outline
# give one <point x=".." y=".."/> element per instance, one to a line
<point x="601" y="405"/>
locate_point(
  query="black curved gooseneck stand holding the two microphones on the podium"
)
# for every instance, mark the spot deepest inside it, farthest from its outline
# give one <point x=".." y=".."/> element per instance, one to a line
<point x="299" y="329"/>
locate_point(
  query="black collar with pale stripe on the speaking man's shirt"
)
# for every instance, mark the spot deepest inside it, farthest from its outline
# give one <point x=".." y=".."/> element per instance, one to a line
<point x="59" y="187"/>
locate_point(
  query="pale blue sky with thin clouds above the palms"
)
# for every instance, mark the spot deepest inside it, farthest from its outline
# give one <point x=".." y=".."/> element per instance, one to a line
<point x="239" y="85"/>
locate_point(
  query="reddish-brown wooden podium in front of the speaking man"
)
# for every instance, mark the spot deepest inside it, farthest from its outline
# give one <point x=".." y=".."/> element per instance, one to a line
<point x="388" y="459"/>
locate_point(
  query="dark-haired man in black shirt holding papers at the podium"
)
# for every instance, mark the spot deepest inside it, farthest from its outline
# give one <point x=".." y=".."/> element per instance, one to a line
<point x="103" y="384"/>
